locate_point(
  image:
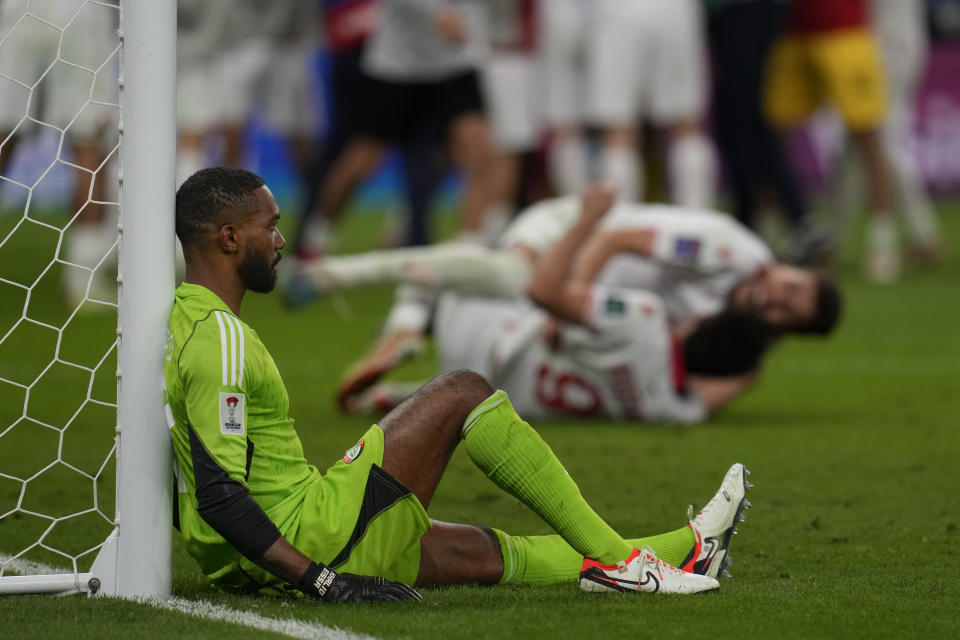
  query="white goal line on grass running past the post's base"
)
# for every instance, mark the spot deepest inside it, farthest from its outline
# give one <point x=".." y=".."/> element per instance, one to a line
<point x="290" y="627"/>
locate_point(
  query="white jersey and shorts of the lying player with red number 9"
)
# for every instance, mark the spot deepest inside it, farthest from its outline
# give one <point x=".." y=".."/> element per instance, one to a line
<point x="623" y="366"/>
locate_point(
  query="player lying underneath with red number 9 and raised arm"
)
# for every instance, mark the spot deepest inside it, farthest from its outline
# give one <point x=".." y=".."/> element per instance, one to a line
<point x="589" y="350"/>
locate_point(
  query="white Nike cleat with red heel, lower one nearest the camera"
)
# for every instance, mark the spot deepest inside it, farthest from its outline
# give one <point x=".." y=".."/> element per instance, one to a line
<point x="642" y="571"/>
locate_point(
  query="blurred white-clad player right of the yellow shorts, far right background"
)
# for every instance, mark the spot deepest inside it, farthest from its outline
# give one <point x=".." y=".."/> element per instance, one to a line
<point x="902" y="33"/>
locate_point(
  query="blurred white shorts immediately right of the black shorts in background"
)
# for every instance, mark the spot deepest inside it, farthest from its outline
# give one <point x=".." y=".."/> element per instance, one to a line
<point x="512" y="90"/>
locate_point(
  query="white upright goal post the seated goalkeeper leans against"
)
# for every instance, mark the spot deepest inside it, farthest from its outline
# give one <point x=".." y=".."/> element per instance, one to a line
<point x="148" y="138"/>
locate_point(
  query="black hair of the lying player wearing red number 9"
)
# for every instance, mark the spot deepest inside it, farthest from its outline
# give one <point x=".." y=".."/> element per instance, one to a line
<point x="727" y="344"/>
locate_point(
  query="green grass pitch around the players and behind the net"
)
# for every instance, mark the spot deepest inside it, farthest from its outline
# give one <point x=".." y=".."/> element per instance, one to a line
<point x="853" y="443"/>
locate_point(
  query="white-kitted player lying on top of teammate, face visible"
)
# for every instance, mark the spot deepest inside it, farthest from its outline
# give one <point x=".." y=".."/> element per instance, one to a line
<point x="698" y="262"/>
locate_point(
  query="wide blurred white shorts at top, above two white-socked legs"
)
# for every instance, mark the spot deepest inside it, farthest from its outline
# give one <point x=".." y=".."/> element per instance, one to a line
<point x="646" y="59"/>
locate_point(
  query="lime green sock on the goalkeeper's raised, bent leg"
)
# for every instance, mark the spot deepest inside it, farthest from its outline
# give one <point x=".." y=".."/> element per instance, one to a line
<point x="517" y="460"/>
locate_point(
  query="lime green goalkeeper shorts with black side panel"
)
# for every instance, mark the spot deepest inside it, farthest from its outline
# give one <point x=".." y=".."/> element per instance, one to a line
<point x="359" y="519"/>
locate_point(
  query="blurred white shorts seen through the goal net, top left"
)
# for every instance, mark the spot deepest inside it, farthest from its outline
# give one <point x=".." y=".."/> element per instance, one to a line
<point x="60" y="92"/>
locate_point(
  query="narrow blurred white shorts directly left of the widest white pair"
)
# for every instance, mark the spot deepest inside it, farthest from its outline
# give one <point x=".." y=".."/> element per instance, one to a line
<point x="563" y="33"/>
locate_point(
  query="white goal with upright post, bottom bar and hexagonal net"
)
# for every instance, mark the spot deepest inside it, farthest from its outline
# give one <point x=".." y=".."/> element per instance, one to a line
<point x="134" y="560"/>
